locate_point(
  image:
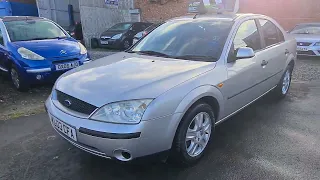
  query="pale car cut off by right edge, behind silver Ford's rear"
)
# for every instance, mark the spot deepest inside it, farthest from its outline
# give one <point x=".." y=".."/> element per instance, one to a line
<point x="308" y="39"/>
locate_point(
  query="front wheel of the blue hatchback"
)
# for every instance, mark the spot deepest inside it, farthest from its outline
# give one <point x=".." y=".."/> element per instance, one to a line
<point x="16" y="79"/>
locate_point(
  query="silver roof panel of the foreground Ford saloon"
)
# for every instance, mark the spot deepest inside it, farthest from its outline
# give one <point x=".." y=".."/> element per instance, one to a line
<point x="223" y="16"/>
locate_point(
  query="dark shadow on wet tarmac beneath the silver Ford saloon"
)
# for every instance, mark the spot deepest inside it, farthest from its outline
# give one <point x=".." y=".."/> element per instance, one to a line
<point x="224" y="143"/>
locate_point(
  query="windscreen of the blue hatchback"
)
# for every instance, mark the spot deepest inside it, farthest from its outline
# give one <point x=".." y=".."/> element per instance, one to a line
<point x="28" y="30"/>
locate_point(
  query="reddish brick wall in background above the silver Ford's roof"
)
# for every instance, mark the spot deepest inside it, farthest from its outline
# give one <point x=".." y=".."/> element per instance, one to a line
<point x="287" y="12"/>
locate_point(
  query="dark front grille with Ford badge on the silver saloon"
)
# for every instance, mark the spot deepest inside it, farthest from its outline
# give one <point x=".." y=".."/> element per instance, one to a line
<point x="75" y="104"/>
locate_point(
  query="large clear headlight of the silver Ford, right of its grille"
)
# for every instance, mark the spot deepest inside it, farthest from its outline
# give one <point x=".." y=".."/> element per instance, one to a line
<point x="125" y="112"/>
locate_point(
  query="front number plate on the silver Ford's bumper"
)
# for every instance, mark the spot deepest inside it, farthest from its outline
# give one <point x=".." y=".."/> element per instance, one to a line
<point x="64" y="128"/>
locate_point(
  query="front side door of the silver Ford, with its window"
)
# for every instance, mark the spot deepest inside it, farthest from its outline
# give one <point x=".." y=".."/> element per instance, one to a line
<point x="244" y="75"/>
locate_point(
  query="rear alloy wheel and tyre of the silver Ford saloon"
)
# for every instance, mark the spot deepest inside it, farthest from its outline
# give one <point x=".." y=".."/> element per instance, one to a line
<point x="283" y="86"/>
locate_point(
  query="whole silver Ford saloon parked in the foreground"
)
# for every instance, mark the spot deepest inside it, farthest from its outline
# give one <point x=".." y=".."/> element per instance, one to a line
<point x="170" y="90"/>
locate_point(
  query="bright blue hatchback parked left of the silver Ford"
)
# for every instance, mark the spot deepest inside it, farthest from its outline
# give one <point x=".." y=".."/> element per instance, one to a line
<point x="35" y="50"/>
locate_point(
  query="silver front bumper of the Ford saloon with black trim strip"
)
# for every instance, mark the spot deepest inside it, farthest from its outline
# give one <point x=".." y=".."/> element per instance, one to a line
<point x="110" y="140"/>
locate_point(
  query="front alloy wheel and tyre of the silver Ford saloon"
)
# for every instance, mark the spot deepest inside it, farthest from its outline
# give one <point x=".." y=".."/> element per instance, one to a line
<point x="193" y="135"/>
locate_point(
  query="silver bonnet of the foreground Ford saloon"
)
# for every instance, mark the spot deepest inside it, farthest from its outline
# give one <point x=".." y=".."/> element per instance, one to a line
<point x="136" y="77"/>
